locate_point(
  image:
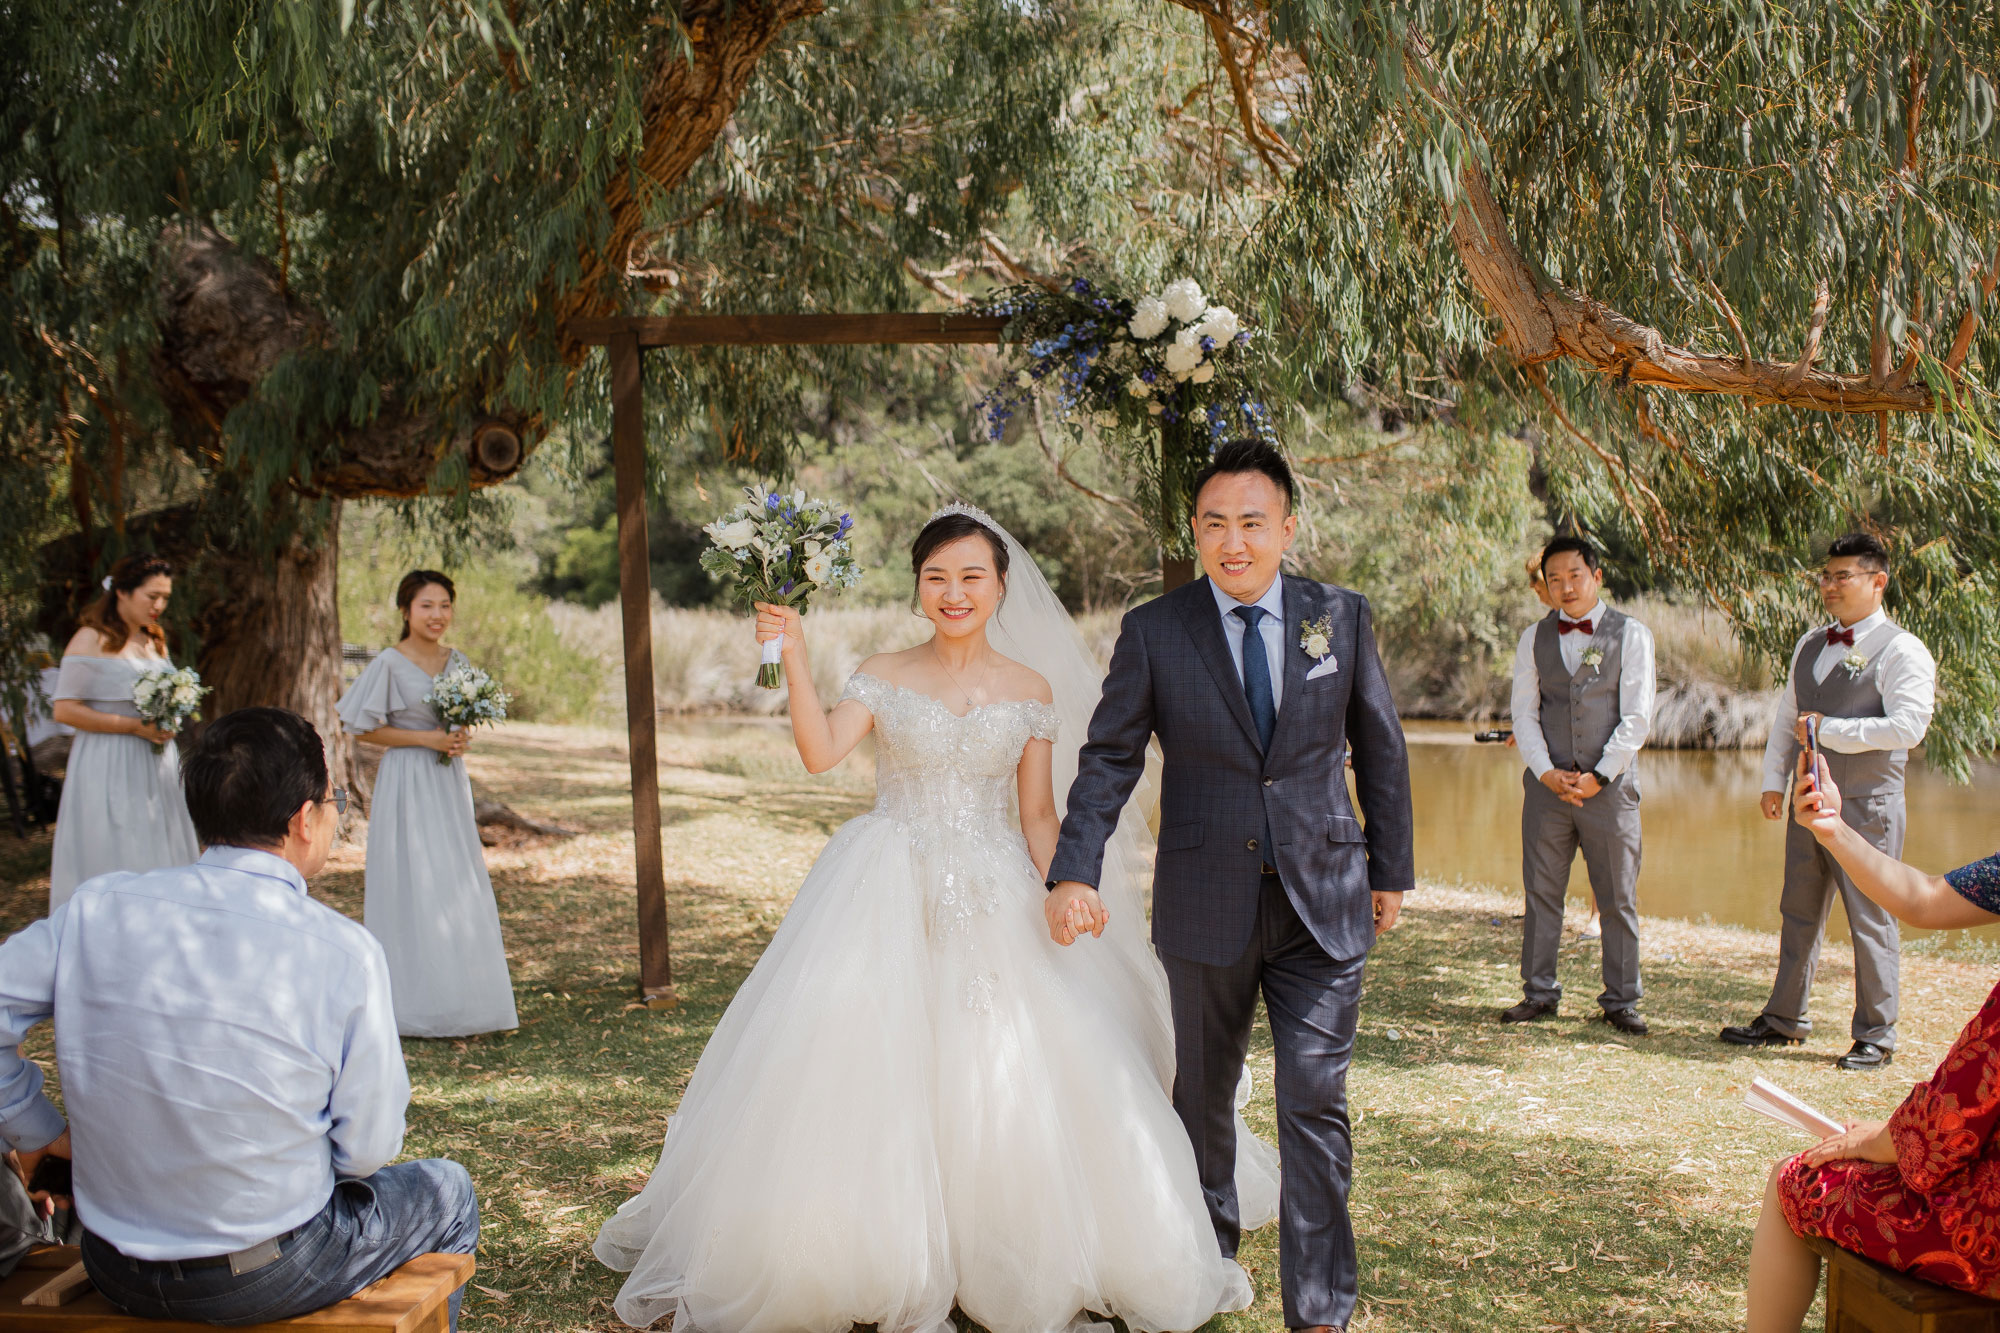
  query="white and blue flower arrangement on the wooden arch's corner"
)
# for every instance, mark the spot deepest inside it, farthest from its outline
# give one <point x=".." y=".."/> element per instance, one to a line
<point x="1165" y="377"/>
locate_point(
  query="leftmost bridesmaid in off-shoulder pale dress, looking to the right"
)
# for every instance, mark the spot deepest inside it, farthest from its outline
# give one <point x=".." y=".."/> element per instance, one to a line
<point x="121" y="800"/>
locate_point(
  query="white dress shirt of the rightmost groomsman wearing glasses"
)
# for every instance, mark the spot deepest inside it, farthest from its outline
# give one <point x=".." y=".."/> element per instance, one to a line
<point x="1909" y="684"/>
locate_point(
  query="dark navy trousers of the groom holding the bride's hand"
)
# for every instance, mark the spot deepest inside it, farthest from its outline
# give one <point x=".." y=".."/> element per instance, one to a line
<point x="1313" y="1002"/>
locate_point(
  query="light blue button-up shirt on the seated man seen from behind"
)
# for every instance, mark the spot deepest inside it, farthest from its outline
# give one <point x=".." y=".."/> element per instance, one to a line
<point x="227" y="1050"/>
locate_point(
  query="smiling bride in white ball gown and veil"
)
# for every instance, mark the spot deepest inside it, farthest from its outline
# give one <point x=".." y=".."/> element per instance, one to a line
<point x="919" y="1098"/>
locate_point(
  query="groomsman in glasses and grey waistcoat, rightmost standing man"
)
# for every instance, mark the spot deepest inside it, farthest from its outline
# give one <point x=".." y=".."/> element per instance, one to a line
<point x="1869" y="686"/>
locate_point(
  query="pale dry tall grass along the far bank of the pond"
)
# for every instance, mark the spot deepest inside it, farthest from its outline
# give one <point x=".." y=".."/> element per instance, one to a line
<point x="1713" y="694"/>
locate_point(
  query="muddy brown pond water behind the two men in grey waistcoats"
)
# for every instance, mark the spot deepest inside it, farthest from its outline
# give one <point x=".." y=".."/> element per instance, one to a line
<point x="1709" y="852"/>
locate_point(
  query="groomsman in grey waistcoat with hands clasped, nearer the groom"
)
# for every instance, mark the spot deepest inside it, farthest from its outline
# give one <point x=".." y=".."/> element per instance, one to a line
<point x="1583" y="708"/>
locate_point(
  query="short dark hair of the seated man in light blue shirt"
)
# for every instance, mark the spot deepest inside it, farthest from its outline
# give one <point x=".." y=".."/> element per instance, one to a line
<point x="249" y="774"/>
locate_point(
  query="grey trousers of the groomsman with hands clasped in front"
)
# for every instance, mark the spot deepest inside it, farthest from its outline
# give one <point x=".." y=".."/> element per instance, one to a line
<point x="1551" y="834"/>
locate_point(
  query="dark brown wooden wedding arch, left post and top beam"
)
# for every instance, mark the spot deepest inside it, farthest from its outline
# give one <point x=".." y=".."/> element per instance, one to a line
<point x="627" y="341"/>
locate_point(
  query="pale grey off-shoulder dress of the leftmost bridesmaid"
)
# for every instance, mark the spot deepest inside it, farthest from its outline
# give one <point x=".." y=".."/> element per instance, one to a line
<point x="121" y="802"/>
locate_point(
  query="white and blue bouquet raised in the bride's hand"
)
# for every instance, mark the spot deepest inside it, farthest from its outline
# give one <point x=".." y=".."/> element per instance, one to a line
<point x="781" y="549"/>
